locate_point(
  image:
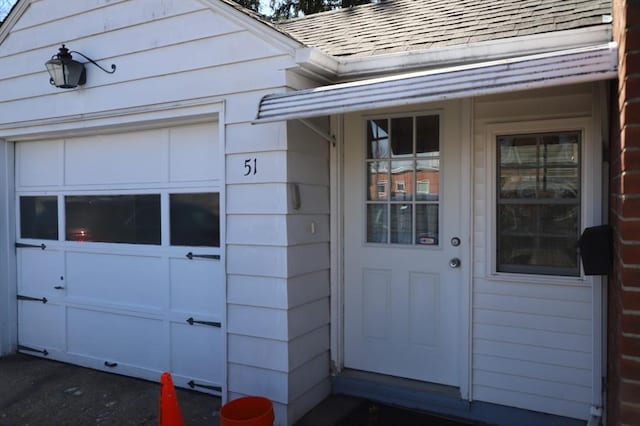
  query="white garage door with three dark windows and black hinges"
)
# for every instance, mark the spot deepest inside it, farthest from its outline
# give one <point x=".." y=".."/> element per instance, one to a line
<point x="118" y="252"/>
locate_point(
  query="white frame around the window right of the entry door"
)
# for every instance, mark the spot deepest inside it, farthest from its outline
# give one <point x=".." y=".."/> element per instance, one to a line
<point x="590" y="170"/>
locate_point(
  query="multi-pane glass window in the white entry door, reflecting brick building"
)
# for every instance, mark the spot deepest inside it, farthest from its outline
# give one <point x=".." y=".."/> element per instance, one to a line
<point x="403" y="176"/>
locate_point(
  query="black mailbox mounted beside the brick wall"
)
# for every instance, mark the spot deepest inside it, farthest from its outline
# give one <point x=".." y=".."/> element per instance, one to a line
<point x="596" y="250"/>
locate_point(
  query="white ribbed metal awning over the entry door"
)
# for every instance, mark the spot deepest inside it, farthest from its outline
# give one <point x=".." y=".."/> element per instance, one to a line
<point x="521" y="73"/>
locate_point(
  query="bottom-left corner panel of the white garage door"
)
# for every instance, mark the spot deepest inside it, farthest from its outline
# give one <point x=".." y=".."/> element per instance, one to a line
<point x="42" y="325"/>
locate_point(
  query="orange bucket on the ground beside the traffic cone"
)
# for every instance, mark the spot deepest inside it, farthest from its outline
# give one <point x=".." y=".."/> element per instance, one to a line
<point x="247" y="411"/>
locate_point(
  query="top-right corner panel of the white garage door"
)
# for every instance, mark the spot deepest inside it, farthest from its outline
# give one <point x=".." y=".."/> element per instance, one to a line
<point x="190" y="151"/>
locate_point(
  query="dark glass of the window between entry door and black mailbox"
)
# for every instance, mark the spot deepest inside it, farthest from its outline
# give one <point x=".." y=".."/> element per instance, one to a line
<point x="538" y="203"/>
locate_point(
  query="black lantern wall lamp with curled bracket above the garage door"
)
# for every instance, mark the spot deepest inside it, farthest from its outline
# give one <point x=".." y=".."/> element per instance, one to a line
<point x="66" y="73"/>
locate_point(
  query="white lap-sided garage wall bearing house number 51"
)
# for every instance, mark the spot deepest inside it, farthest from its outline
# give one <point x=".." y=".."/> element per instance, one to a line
<point x="171" y="57"/>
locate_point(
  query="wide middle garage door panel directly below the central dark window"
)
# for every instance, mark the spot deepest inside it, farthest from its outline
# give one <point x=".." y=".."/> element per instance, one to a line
<point x="118" y="279"/>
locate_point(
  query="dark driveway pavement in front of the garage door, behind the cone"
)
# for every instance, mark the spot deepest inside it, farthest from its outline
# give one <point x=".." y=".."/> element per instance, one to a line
<point x="35" y="391"/>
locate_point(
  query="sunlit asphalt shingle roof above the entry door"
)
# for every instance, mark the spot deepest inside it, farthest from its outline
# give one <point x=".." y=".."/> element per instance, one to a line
<point x="403" y="25"/>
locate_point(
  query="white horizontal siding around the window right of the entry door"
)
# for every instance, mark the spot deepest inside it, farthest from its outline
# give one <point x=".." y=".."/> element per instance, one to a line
<point x="532" y="341"/>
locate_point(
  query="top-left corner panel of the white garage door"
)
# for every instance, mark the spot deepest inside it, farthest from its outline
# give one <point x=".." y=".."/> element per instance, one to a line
<point x="39" y="163"/>
